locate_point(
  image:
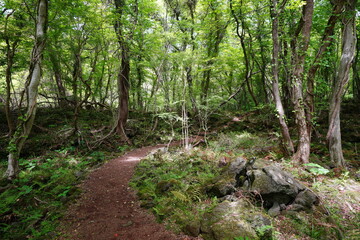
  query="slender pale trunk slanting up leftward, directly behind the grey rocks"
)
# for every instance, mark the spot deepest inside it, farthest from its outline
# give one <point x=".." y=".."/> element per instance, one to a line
<point x="288" y="145"/>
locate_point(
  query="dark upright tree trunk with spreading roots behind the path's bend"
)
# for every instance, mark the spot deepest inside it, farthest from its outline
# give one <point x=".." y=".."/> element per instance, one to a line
<point x="124" y="73"/>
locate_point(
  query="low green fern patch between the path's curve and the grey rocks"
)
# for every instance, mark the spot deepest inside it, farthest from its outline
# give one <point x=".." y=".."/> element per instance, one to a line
<point x="174" y="185"/>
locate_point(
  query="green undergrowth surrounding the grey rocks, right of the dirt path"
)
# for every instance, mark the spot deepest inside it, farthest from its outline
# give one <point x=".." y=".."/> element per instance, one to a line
<point x="174" y="186"/>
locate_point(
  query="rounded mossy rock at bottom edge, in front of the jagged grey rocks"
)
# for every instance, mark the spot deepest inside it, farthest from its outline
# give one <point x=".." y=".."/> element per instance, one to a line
<point x="231" y="220"/>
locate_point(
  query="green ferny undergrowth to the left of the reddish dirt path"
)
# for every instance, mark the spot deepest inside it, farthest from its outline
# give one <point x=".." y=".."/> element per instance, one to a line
<point x="31" y="205"/>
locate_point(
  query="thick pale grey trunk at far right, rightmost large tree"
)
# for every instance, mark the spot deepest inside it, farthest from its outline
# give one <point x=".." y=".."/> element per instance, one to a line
<point x="348" y="52"/>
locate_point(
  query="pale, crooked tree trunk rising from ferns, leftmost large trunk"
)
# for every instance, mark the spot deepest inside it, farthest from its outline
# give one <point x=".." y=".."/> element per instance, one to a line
<point x="31" y="89"/>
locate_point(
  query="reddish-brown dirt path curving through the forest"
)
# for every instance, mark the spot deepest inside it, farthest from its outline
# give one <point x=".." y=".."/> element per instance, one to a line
<point x="108" y="209"/>
